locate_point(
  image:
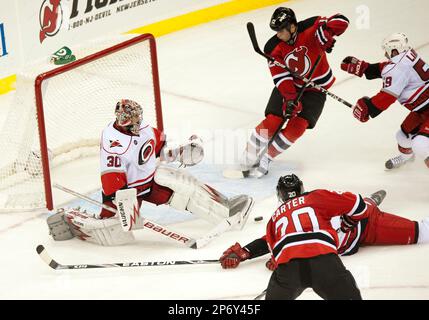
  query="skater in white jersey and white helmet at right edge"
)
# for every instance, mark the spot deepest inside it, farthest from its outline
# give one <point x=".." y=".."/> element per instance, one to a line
<point x="406" y="80"/>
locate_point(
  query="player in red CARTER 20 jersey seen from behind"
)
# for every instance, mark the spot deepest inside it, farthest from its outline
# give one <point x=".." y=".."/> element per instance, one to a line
<point x="304" y="244"/>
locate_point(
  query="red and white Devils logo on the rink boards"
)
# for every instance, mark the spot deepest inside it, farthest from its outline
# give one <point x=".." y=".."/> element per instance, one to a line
<point x="50" y="18"/>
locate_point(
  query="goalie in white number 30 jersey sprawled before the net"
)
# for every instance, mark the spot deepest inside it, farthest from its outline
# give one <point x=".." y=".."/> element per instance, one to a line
<point x="131" y="175"/>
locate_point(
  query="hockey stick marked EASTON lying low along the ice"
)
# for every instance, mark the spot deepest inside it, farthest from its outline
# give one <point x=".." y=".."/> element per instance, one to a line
<point x="43" y="254"/>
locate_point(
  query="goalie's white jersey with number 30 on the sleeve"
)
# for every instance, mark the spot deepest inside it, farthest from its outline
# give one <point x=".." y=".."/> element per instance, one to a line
<point x="129" y="157"/>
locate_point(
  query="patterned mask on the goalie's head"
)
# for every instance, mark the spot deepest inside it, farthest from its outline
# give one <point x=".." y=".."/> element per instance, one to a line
<point x="129" y="114"/>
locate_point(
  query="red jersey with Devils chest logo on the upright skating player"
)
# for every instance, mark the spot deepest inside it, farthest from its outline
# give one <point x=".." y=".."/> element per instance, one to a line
<point x="301" y="56"/>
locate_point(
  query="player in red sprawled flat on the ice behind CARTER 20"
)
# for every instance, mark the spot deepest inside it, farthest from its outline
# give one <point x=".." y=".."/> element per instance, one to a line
<point x="377" y="228"/>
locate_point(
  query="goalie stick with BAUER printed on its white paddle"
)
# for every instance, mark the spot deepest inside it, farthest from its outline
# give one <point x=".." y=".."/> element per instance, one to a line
<point x="148" y="224"/>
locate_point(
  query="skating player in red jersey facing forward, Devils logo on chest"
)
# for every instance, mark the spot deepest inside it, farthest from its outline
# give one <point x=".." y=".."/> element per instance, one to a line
<point x="297" y="45"/>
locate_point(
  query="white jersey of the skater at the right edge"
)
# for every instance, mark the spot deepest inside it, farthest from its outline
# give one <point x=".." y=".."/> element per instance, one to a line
<point x="406" y="77"/>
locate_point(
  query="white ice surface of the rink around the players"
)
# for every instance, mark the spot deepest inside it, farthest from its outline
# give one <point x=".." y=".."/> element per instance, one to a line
<point x="212" y="82"/>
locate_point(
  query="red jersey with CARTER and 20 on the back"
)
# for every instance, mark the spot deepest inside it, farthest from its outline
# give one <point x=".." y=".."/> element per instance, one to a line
<point x="301" y="227"/>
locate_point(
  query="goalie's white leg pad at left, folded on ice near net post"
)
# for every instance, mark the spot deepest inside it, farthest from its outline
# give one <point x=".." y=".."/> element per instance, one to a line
<point x="105" y="232"/>
